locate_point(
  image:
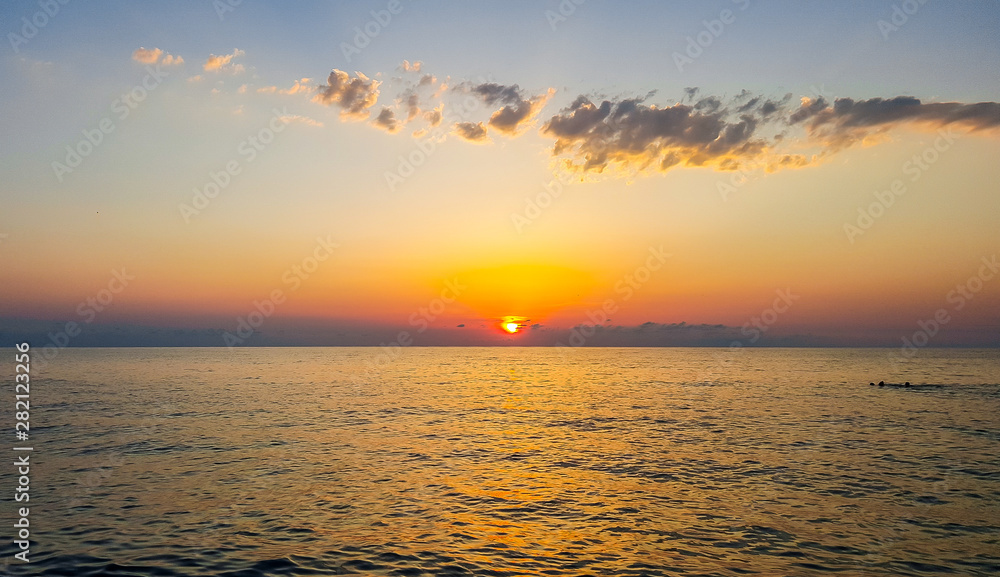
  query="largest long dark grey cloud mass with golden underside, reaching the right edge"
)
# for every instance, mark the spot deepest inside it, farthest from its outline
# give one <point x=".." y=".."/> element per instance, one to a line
<point x="749" y="129"/>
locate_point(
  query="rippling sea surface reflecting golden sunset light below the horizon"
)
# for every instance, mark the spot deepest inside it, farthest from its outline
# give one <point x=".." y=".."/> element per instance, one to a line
<point x="509" y="461"/>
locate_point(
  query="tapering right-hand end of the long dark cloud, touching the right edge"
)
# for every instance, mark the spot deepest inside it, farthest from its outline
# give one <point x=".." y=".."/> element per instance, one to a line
<point x="848" y="121"/>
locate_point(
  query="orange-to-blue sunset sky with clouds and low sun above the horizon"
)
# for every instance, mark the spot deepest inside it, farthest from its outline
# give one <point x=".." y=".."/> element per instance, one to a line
<point x="724" y="173"/>
